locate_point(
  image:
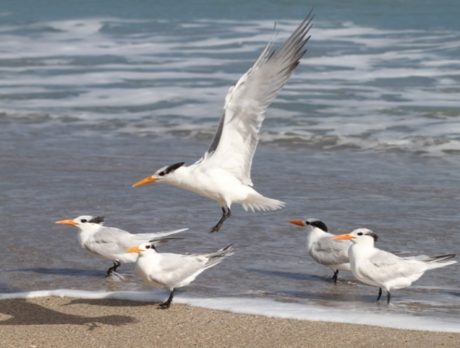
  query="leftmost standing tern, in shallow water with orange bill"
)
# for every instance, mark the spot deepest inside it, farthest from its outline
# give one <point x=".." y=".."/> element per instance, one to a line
<point x="110" y="242"/>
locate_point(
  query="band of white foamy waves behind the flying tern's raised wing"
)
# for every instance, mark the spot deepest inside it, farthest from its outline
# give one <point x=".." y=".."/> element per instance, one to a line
<point x="358" y="86"/>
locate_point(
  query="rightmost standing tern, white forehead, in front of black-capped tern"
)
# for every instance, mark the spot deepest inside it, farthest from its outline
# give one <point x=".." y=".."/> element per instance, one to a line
<point x="382" y="269"/>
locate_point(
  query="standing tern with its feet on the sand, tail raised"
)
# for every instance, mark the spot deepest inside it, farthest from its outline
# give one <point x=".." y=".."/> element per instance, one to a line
<point x="174" y="271"/>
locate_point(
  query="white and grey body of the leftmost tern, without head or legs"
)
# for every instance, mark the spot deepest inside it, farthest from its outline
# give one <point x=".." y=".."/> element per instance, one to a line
<point x="113" y="243"/>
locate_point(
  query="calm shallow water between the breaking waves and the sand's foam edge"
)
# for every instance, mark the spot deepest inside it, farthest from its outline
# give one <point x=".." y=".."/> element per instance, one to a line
<point x="59" y="172"/>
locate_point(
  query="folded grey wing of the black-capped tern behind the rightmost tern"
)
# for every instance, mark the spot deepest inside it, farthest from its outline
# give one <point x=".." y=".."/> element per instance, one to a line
<point x="330" y="252"/>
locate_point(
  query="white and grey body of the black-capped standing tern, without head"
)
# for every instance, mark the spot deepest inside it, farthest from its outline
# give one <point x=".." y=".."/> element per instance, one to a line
<point x="328" y="252"/>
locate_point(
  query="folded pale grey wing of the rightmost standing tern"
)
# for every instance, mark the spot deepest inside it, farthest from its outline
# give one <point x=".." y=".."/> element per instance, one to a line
<point x="384" y="266"/>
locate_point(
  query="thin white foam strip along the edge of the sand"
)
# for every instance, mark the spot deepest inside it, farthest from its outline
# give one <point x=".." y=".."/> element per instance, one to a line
<point x="266" y="307"/>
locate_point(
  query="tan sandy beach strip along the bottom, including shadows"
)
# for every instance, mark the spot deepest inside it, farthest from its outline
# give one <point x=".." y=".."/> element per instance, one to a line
<point x="66" y="322"/>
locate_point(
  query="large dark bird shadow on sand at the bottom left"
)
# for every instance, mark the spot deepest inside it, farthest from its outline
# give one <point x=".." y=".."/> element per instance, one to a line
<point x="22" y="312"/>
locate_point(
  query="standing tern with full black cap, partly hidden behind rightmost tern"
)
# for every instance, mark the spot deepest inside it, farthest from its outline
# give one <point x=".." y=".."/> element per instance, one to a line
<point x="324" y="250"/>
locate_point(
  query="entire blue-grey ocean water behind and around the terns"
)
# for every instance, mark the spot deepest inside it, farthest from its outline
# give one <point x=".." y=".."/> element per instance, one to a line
<point x="366" y="133"/>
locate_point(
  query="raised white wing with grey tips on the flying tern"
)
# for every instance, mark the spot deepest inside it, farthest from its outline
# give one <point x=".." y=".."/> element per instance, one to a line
<point x="236" y="139"/>
